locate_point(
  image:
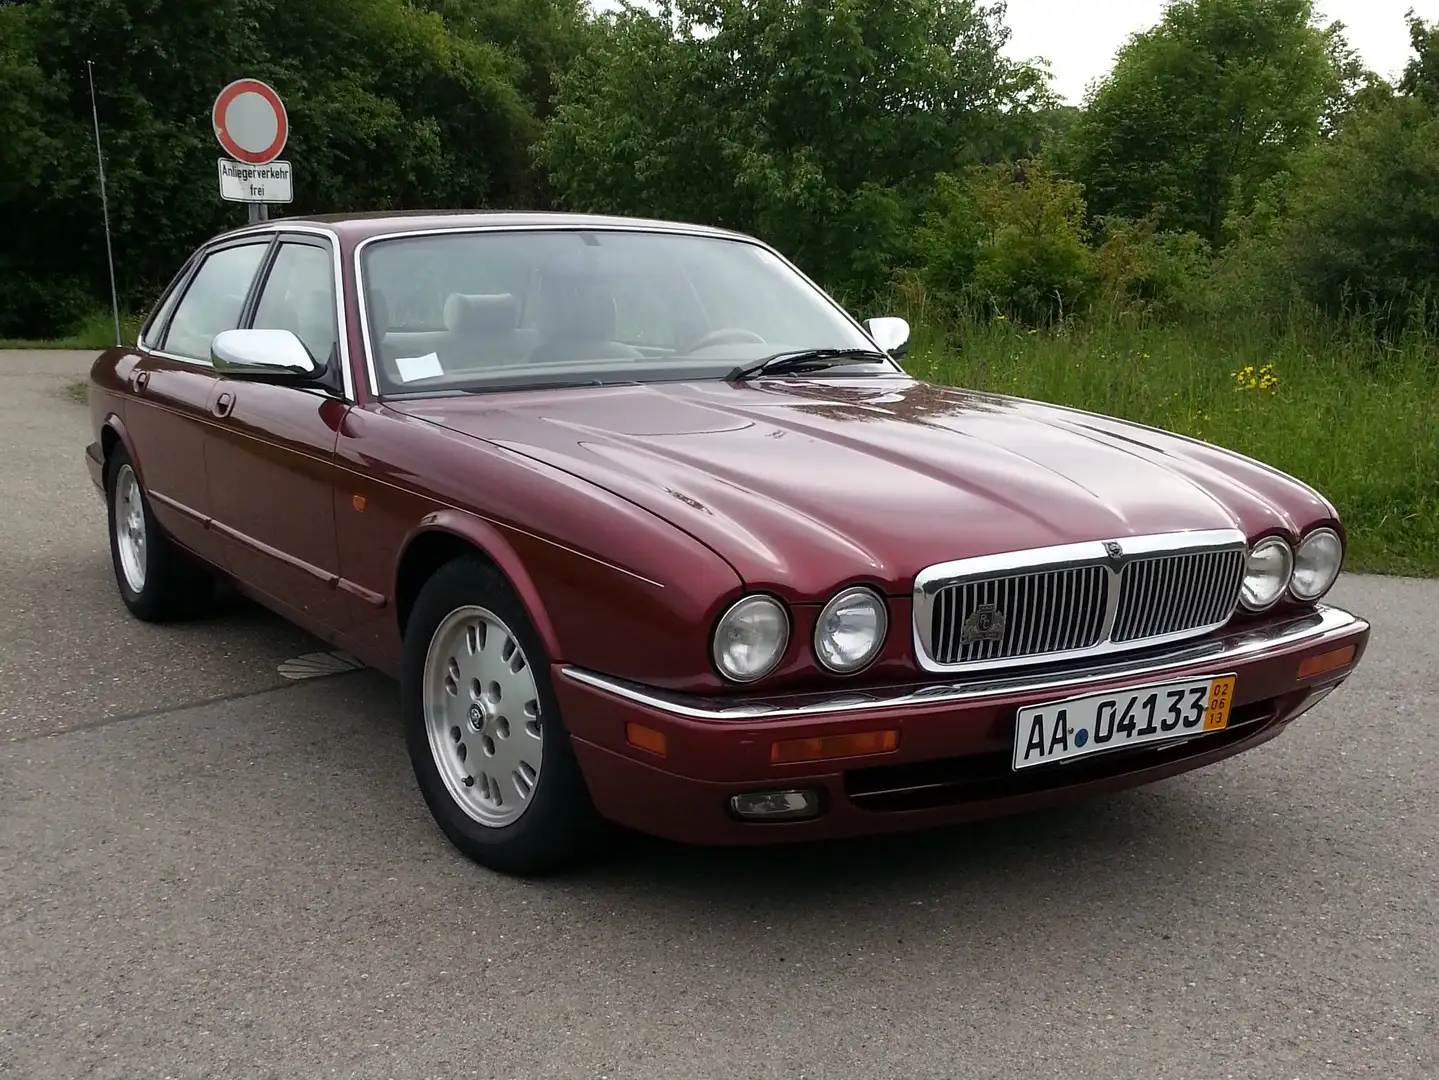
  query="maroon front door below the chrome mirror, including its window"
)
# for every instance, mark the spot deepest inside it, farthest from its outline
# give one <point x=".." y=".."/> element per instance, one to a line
<point x="271" y="454"/>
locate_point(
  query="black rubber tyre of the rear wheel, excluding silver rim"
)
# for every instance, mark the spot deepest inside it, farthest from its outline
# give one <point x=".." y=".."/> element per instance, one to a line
<point x="175" y="585"/>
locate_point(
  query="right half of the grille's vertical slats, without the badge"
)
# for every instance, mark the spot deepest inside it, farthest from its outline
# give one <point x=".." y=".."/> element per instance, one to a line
<point x="1171" y="595"/>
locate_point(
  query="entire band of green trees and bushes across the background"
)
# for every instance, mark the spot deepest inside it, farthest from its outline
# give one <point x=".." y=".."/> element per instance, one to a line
<point x="1237" y="162"/>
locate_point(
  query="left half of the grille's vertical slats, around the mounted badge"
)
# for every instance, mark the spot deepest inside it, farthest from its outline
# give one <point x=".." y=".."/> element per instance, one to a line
<point x="1054" y="612"/>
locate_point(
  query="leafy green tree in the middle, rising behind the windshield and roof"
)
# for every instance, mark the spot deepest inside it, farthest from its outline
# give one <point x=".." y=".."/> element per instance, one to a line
<point x="818" y="124"/>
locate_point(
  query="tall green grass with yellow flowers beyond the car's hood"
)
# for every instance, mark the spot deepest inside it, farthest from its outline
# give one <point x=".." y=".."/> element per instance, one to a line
<point x="1340" y="409"/>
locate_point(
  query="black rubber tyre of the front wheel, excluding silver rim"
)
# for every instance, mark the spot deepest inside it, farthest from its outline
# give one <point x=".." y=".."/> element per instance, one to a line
<point x="559" y="828"/>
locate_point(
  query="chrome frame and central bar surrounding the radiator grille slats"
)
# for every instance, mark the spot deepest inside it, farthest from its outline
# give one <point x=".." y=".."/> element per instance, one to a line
<point x="930" y="580"/>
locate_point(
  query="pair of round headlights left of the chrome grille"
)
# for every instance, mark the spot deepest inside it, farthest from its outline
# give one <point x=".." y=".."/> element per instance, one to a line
<point x="753" y="635"/>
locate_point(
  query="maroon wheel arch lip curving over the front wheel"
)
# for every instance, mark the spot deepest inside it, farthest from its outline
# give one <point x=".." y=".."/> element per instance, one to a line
<point x="445" y="536"/>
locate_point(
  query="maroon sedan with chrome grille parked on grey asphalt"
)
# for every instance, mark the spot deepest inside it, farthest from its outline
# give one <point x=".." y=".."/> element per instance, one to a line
<point x="653" y="533"/>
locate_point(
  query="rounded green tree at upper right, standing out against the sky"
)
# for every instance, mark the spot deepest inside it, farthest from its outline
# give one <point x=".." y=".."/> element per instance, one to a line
<point x="1208" y="106"/>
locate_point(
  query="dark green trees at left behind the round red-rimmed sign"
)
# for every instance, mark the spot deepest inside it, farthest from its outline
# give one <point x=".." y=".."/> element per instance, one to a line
<point x="391" y="107"/>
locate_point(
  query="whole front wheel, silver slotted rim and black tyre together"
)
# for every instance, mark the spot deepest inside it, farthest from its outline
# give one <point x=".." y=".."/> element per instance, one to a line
<point x="483" y="726"/>
